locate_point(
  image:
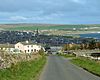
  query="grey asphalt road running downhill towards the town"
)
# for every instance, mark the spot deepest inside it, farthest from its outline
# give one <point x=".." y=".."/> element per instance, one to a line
<point x="59" y="68"/>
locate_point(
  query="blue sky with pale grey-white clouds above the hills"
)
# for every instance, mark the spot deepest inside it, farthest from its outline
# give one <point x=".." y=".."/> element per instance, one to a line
<point x="50" y="11"/>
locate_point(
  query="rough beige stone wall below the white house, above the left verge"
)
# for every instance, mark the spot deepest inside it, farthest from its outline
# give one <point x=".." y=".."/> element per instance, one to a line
<point x="6" y="59"/>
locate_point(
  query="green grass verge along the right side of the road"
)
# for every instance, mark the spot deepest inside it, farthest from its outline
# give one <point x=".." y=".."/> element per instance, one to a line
<point x="87" y="64"/>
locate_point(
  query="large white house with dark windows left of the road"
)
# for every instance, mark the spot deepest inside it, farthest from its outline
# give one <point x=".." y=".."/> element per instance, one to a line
<point x="28" y="47"/>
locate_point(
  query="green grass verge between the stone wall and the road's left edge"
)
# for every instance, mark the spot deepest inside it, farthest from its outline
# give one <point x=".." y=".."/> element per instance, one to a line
<point x="27" y="70"/>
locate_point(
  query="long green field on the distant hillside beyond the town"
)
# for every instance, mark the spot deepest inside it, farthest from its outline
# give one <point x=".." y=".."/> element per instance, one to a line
<point x="58" y="27"/>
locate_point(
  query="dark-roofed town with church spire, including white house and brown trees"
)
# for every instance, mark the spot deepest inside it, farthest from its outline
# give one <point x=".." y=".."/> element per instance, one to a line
<point x="16" y="41"/>
